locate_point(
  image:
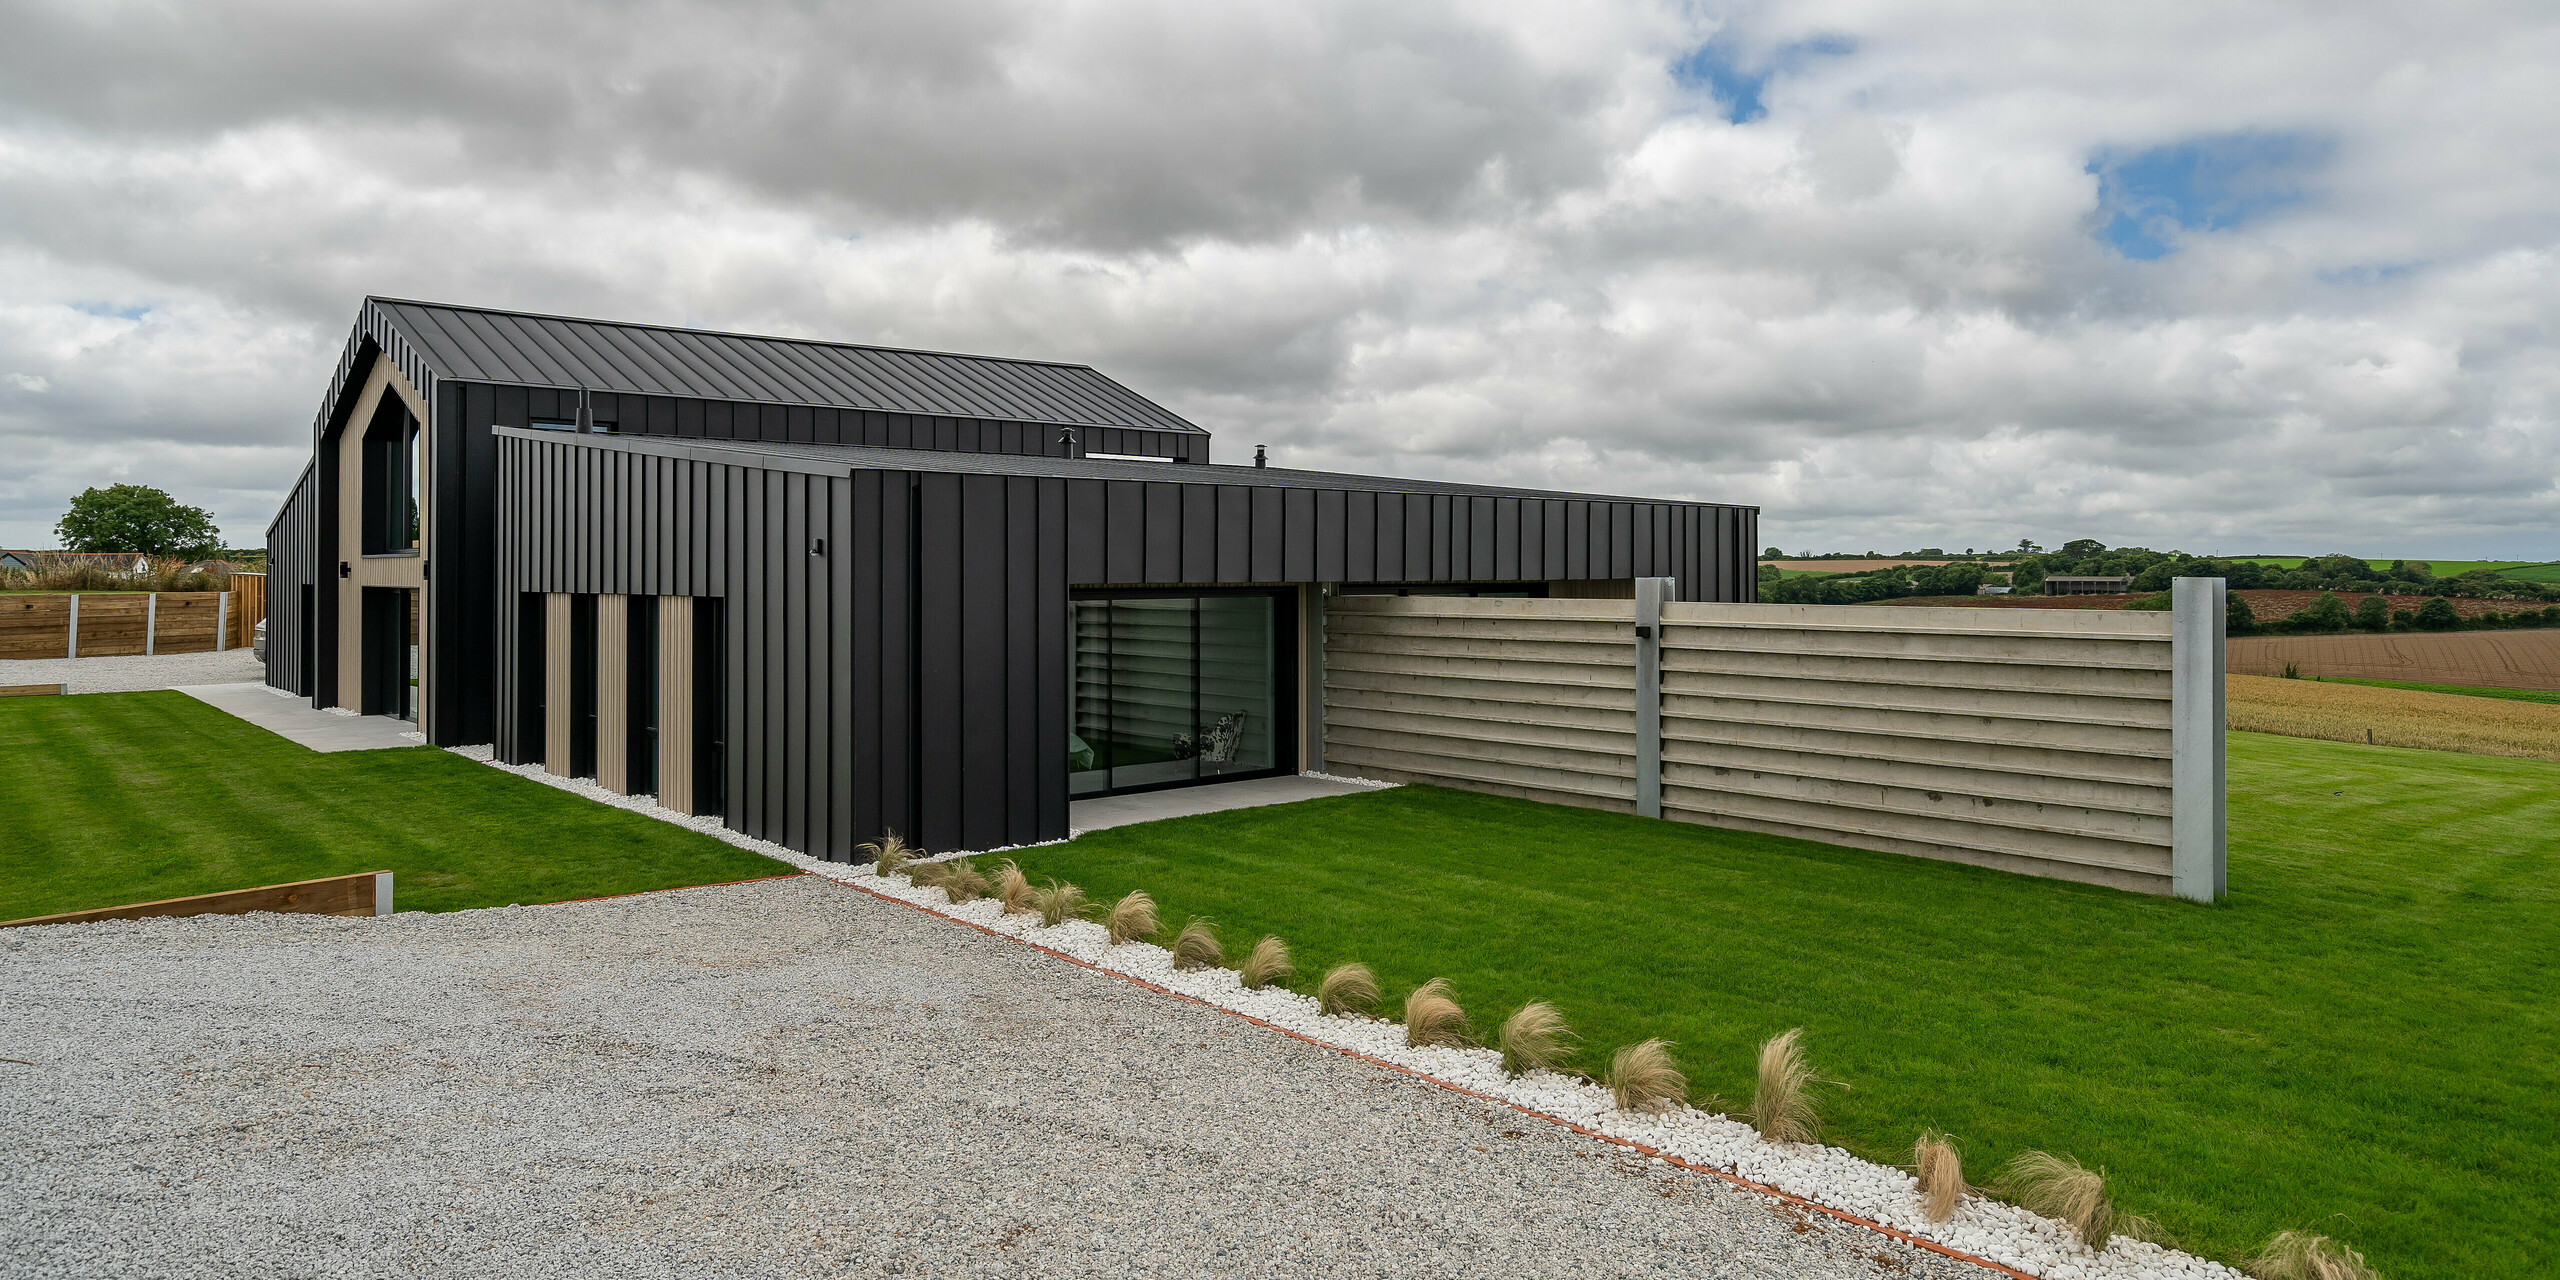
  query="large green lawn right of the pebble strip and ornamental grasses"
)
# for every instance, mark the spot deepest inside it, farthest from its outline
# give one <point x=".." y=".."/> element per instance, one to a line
<point x="2359" y="1041"/>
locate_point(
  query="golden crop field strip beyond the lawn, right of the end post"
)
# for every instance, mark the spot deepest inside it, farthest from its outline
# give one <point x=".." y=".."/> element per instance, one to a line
<point x="2395" y="718"/>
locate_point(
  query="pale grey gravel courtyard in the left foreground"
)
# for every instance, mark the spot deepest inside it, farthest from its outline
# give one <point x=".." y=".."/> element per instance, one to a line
<point x="767" y="1079"/>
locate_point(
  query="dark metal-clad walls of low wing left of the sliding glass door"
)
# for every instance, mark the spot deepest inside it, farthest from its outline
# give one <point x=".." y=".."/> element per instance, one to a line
<point x="838" y="726"/>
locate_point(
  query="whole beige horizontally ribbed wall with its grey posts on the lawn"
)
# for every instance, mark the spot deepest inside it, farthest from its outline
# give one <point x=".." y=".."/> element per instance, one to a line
<point x="2083" y="746"/>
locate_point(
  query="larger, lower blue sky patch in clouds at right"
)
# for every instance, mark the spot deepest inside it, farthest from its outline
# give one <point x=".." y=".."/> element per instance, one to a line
<point x="2149" y="198"/>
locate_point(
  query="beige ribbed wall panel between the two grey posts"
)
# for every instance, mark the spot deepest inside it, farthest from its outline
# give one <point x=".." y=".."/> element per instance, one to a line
<point x="2031" y="746"/>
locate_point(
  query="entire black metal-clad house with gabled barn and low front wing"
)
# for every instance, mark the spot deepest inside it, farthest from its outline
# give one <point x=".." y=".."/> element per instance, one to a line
<point x="831" y="590"/>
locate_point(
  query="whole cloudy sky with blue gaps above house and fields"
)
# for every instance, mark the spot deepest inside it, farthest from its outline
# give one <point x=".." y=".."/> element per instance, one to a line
<point x="2228" y="278"/>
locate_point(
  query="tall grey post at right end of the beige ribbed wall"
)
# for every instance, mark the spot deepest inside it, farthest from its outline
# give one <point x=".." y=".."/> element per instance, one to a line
<point x="2195" y="731"/>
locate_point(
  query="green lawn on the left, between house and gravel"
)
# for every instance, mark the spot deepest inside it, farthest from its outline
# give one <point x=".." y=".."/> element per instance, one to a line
<point x="137" y="797"/>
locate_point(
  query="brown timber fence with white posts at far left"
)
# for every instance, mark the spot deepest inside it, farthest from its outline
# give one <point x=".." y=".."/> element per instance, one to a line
<point x="132" y="623"/>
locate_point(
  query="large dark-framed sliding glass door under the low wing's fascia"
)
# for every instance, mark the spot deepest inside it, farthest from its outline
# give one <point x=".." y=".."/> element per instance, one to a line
<point x="1179" y="690"/>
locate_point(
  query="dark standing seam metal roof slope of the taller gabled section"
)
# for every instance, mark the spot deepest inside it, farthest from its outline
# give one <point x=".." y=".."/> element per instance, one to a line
<point x="475" y="344"/>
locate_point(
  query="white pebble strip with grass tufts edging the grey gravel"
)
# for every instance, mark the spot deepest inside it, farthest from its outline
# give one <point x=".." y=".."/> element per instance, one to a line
<point x="1824" y="1176"/>
